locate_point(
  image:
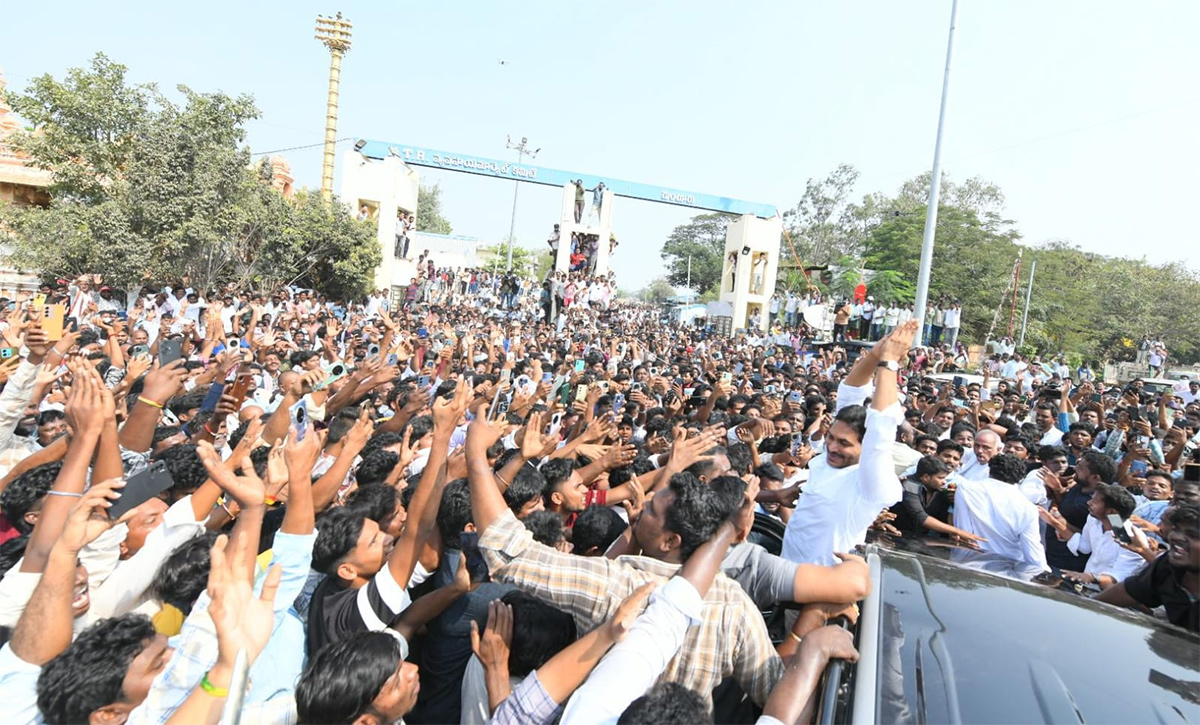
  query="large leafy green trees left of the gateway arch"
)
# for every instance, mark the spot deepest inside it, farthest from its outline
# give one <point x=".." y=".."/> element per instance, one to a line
<point x="147" y="189"/>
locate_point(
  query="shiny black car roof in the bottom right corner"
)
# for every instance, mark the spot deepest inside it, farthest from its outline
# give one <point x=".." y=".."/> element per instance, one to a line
<point x="956" y="644"/>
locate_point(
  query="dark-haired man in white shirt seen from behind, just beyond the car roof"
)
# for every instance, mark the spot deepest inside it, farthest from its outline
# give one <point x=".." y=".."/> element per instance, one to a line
<point x="997" y="511"/>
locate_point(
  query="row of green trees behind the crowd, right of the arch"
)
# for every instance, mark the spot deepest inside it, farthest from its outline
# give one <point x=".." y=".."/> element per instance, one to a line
<point x="1088" y="304"/>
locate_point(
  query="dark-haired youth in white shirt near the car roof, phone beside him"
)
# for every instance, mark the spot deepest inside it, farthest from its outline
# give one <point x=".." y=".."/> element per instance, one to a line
<point x="1109" y="562"/>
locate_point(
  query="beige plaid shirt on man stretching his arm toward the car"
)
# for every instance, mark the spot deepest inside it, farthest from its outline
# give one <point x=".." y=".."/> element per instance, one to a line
<point x="731" y="639"/>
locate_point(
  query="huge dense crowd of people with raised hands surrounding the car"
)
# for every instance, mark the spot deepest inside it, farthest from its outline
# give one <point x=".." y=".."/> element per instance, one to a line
<point x="473" y="506"/>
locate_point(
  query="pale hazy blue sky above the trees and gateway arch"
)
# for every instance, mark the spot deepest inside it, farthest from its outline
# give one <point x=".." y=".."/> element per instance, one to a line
<point x="1084" y="112"/>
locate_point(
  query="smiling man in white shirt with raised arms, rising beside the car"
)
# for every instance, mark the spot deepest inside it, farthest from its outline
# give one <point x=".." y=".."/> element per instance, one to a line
<point x="856" y="477"/>
